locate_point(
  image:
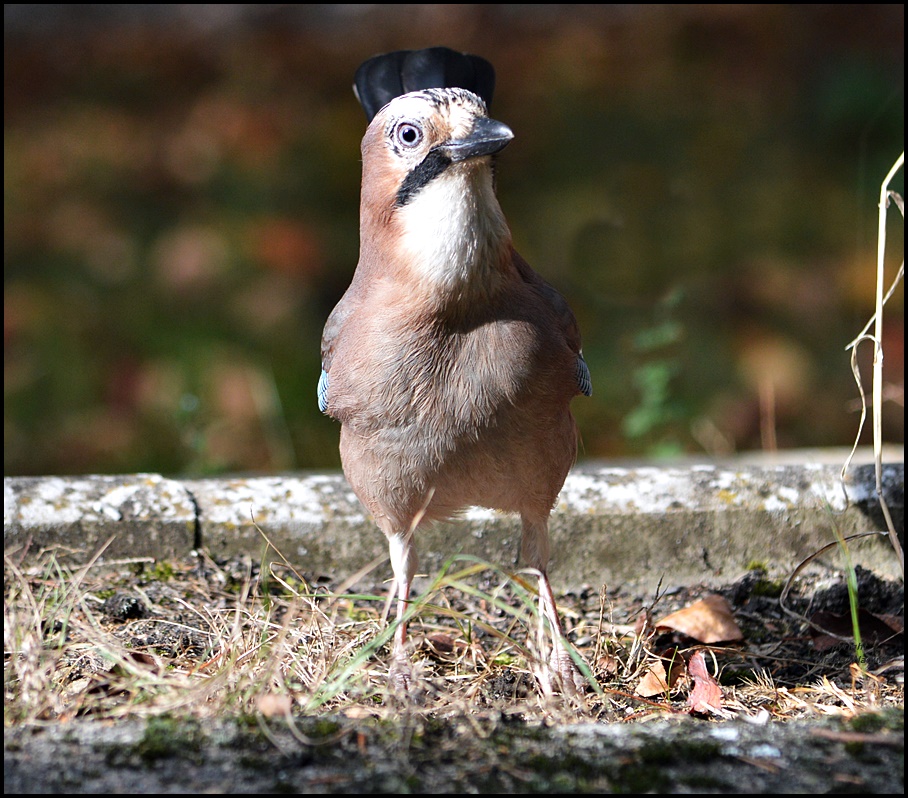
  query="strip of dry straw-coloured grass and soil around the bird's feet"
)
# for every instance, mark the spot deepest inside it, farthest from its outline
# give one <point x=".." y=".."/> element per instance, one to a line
<point x="205" y="638"/>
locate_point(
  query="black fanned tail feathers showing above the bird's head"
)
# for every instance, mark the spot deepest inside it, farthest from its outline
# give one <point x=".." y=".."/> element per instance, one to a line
<point x="384" y="77"/>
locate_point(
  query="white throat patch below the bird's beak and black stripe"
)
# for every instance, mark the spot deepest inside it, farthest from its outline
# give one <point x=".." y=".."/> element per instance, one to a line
<point x="453" y="227"/>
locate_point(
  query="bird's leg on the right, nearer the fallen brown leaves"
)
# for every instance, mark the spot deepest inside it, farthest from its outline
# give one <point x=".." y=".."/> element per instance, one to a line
<point x="559" y="674"/>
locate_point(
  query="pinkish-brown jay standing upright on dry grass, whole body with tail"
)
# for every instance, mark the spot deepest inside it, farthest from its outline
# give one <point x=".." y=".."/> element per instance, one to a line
<point x="449" y="362"/>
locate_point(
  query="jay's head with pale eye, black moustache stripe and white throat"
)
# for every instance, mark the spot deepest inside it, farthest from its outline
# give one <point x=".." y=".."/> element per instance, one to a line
<point x="428" y="180"/>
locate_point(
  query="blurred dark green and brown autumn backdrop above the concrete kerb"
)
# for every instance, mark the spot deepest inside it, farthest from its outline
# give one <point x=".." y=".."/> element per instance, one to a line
<point x="181" y="200"/>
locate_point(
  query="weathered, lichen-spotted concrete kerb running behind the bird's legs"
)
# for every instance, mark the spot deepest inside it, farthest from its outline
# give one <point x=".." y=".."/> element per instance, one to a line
<point x="612" y="525"/>
